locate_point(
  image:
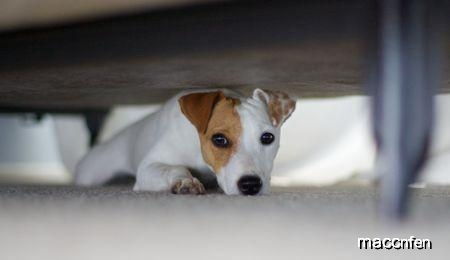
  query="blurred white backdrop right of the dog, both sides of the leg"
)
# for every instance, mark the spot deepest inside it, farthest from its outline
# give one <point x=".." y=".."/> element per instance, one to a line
<point x="327" y="141"/>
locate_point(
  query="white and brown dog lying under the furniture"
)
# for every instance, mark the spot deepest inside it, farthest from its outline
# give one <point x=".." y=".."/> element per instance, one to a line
<point x="211" y="132"/>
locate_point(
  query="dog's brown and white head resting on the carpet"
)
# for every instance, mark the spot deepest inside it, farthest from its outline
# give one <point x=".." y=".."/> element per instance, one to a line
<point x="239" y="137"/>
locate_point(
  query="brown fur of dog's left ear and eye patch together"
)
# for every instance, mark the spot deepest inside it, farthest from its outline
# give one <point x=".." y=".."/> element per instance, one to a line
<point x="213" y="113"/>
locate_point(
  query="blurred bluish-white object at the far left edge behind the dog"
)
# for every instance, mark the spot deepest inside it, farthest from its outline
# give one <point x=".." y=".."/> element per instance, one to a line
<point x="29" y="151"/>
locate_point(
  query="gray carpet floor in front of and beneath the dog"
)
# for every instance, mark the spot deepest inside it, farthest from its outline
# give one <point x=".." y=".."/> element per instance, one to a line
<point x="54" y="222"/>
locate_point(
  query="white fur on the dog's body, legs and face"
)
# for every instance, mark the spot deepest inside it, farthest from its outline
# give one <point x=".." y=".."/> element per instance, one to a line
<point x="163" y="148"/>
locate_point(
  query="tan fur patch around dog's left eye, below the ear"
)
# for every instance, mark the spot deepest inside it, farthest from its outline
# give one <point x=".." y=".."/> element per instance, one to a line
<point x="224" y="121"/>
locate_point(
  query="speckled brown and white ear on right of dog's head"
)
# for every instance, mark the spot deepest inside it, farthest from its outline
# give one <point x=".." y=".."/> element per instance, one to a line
<point x="279" y="105"/>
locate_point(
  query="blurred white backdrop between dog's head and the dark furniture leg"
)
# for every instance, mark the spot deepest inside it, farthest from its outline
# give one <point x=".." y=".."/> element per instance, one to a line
<point x="324" y="142"/>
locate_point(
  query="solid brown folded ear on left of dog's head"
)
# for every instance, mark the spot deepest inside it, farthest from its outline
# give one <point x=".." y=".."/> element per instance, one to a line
<point x="198" y="107"/>
